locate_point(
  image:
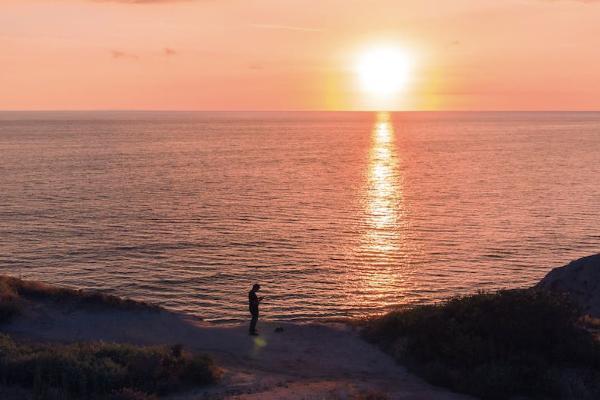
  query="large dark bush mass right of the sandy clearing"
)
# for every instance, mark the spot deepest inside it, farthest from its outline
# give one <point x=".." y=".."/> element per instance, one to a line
<point x="496" y="345"/>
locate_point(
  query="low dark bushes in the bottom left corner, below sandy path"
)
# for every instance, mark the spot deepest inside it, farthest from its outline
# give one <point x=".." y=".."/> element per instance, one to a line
<point x="101" y="370"/>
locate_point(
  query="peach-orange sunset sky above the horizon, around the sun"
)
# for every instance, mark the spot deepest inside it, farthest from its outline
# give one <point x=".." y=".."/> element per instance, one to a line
<point x="297" y="55"/>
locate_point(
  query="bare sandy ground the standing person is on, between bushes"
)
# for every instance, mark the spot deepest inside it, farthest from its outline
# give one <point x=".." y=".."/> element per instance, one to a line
<point x="305" y="361"/>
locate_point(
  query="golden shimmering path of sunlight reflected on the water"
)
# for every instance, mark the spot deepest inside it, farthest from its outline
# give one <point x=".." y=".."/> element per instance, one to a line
<point x="383" y="207"/>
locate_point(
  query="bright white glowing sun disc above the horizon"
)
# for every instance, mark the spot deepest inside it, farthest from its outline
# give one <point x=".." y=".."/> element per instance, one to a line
<point x="383" y="71"/>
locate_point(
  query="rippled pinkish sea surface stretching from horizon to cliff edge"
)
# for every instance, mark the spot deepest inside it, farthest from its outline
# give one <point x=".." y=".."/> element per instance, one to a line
<point x="335" y="214"/>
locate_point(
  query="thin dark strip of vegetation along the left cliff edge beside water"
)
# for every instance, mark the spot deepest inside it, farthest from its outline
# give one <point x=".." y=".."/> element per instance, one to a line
<point x="15" y="292"/>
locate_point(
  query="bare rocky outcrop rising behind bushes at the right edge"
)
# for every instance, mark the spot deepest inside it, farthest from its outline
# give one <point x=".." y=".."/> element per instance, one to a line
<point x="580" y="279"/>
